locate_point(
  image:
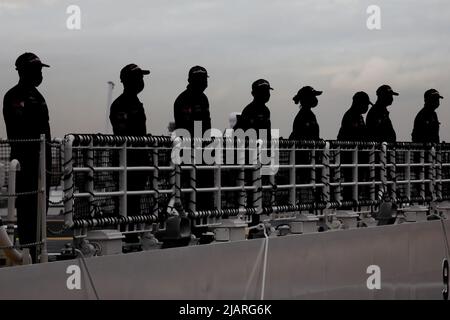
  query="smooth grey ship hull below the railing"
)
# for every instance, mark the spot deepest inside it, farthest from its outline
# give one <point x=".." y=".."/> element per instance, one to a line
<point x="328" y="265"/>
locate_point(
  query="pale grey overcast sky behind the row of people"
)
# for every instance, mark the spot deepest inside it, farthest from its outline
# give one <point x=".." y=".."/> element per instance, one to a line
<point x="323" y="43"/>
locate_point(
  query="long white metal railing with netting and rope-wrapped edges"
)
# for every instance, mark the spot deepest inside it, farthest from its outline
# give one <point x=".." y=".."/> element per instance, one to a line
<point x="312" y="176"/>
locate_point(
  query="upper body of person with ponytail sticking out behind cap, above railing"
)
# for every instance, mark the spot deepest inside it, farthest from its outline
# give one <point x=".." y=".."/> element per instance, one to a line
<point x="305" y="125"/>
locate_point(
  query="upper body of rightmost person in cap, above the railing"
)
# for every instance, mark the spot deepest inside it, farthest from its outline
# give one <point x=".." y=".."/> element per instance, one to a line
<point x="426" y="123"/>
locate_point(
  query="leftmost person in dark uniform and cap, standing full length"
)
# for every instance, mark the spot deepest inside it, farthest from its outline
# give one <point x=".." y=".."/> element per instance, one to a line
<point x="26" y="117"/>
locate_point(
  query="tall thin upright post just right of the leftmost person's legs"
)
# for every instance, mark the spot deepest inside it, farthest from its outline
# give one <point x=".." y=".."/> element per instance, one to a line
<point x="42" y="200"/>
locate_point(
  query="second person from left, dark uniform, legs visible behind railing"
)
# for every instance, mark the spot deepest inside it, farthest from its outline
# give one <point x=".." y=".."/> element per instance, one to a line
<point x="128" y="118"/>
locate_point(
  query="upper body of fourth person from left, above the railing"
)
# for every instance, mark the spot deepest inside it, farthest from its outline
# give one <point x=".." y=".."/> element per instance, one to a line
<point x="256" y="115"/>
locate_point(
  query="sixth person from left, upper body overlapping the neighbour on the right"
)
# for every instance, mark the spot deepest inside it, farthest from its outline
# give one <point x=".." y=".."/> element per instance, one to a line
<point x="353" y="127"/>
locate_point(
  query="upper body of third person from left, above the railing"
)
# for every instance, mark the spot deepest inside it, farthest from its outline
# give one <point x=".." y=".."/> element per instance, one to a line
<point x="192" y="104"/>
